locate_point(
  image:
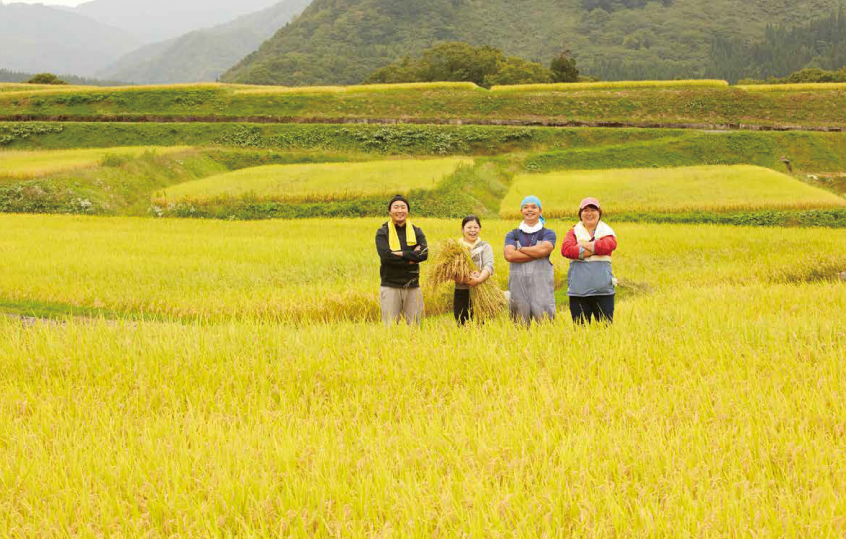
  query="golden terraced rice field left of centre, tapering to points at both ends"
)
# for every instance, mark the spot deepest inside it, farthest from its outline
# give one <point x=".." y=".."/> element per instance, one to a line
<point x="320" y="182"/>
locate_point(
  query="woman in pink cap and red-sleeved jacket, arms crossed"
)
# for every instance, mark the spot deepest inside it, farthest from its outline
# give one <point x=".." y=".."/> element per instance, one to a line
<point x="590" y="283"/>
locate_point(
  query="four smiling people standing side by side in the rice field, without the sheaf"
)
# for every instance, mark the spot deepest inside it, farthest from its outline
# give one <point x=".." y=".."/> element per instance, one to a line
<point x="531" y="282"/>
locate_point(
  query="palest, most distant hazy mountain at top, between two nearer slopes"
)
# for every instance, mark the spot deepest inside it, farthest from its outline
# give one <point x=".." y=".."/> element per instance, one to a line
<point x="156" y="20"/>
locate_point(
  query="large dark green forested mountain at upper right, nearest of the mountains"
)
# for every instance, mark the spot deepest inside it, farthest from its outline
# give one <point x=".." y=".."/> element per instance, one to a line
<point x="343" y="41"/>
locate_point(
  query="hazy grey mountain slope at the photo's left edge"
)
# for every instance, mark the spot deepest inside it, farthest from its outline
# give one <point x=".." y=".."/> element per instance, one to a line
<point x="36" y="38"/>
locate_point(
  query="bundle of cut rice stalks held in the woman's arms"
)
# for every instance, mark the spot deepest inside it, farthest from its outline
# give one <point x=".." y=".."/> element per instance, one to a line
<point x="454" y="263"/>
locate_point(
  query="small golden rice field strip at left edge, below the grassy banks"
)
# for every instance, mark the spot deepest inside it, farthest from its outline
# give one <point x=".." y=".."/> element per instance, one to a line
<point x="27" y="164"/>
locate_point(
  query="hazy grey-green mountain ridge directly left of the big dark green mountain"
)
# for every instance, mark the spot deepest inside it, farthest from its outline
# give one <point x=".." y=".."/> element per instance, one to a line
<point x="202" y="55"/>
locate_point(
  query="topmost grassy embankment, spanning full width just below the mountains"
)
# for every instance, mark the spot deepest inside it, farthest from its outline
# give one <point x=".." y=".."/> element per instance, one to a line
<point x="729" y="106"/>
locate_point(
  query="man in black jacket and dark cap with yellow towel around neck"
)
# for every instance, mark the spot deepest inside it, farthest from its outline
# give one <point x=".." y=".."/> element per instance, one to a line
<point x="401" y="247"/>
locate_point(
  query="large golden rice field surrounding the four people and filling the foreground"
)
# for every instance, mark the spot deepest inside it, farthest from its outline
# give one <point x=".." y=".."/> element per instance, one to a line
<point x="714" y="407"/>
